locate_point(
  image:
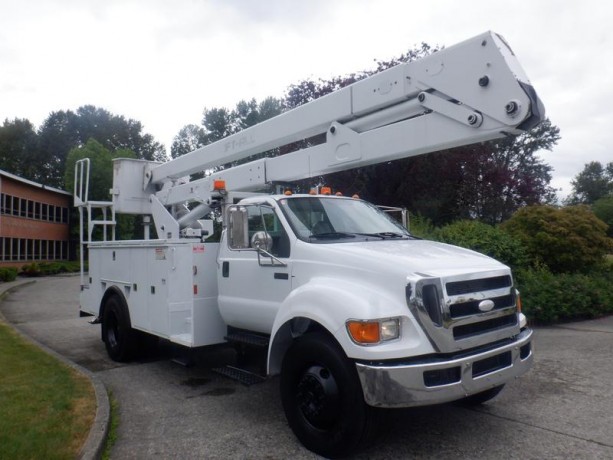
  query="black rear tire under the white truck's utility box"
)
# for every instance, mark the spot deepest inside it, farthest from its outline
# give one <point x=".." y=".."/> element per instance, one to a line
<point x="117" y="333"/>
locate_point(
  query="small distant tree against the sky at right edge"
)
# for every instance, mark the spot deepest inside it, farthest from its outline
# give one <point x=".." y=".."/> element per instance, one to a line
<point x="593" y="183"/>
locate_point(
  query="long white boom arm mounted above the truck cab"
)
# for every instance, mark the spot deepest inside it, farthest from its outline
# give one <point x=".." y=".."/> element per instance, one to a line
<point x="471" y="92"/>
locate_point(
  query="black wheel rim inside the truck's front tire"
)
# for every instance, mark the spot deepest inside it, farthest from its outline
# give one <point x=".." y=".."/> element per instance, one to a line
<point x="318" y="397"/>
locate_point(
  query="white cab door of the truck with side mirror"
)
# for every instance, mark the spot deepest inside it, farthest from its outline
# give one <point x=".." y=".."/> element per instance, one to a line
<point x="255" y="268"/>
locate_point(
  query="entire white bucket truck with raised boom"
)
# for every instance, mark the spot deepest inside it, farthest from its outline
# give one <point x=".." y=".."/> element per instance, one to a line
<point x="351" y="310"/>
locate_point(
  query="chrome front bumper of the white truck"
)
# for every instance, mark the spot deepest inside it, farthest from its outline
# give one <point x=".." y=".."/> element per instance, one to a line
<point x="434" y="381"/>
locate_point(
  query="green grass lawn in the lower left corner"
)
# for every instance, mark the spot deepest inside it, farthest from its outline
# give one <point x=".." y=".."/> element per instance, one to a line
<point x="46" y="407"/>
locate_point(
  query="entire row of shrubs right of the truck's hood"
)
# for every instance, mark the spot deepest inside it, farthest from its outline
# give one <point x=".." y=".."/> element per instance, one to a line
<point x="560" y="270"/>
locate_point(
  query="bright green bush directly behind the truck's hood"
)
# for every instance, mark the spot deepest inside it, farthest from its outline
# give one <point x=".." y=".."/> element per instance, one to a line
<point x="485" y="239"/>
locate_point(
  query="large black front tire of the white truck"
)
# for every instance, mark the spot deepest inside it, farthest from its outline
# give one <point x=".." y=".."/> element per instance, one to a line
<point x="322" y="398"/>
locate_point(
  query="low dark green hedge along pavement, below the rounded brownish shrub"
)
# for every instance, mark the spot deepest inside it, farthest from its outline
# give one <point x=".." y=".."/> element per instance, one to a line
<point x="549" y="297"/>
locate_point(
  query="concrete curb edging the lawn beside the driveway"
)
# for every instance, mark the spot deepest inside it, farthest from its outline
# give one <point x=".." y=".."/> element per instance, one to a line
<point x="94" y="444"/>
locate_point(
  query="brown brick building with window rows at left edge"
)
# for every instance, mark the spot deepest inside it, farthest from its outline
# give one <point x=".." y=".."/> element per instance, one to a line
<point x="34" y="222"/>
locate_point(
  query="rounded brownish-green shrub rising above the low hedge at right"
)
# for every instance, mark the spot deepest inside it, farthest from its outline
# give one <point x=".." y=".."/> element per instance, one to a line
<point x="565" y="240"/>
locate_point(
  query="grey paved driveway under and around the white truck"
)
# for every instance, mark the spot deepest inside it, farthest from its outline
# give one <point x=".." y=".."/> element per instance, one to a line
<point x="562" y="409"/>
